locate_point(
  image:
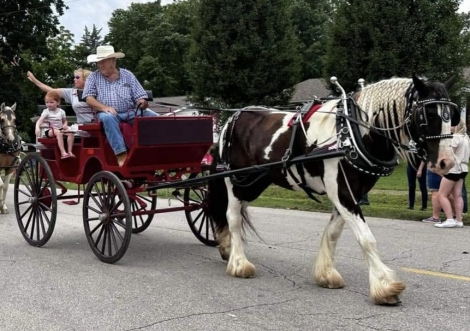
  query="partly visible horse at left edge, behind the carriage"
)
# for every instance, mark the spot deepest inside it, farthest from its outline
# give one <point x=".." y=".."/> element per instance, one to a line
<point x="10" y="145"/>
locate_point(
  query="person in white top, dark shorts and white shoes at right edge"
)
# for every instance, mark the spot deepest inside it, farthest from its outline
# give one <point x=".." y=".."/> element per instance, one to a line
<point x="452" y="182"/>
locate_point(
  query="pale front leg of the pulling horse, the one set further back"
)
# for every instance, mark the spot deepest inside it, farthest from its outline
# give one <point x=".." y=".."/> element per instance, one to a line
<point x="324" y="271"/>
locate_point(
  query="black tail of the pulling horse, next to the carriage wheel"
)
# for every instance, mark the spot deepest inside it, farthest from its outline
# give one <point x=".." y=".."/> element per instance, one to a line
<point x="217" y="194"/>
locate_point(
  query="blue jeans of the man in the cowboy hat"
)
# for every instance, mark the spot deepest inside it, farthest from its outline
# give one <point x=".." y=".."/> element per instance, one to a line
<point x="111" y="127"/>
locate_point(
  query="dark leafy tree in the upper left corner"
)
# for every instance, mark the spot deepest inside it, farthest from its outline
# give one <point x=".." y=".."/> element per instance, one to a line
<point x="25" y="27"/>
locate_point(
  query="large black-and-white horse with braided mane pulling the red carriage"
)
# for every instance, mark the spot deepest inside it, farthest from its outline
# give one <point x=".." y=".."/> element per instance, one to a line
<point x="396" y="115"/>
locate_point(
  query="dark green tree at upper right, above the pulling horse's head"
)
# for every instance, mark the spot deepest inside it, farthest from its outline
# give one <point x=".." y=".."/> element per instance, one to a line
<point x="376" y="39"/>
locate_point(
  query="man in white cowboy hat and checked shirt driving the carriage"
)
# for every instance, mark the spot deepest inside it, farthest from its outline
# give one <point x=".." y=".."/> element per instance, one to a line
<point x="112" y="92"/>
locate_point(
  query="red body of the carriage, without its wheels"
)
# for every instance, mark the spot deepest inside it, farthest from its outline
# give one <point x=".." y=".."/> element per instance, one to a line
<point x="160" y="145"/>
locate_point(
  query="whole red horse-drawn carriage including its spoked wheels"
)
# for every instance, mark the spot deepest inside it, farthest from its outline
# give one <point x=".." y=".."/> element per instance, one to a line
<point x="117" y="201"/>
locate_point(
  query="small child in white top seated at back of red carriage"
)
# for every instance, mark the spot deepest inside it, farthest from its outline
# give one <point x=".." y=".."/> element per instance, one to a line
<point x="57" y="123"/>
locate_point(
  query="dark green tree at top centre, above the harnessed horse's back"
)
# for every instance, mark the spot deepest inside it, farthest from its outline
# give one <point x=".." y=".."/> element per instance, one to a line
<point x="244" y="52"/>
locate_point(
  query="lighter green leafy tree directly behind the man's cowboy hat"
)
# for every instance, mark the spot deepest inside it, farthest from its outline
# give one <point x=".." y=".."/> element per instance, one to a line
<point x="156" y="40"/>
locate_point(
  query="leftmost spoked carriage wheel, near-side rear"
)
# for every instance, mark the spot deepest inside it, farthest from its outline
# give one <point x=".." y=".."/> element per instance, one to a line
<point x="35" y="200"/>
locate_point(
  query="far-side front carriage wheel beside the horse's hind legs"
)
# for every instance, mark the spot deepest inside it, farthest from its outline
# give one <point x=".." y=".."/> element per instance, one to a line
<point x="200" y="221"/>
